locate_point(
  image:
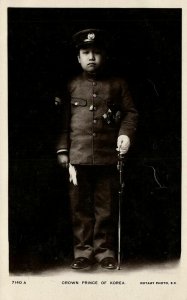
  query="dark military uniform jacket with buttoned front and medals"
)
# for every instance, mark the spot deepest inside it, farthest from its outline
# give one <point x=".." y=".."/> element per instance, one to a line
<point x="98" y="111"/>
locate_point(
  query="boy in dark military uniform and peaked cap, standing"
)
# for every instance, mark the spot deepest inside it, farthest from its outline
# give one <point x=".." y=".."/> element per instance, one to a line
<point x="100" y="119"/>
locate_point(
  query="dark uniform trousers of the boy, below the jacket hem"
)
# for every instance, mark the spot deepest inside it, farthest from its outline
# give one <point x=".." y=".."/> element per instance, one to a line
<point x="93" y="206"/>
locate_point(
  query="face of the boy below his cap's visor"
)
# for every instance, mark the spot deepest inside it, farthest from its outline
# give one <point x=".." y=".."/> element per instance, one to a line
<point x="91" y="58"/>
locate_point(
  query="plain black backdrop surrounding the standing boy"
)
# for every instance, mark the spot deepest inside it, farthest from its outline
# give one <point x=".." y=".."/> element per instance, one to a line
<point x="146" y="49"/>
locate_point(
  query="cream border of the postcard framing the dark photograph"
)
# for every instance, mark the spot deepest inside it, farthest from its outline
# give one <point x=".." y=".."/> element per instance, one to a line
<point x="49" y="286"/>
